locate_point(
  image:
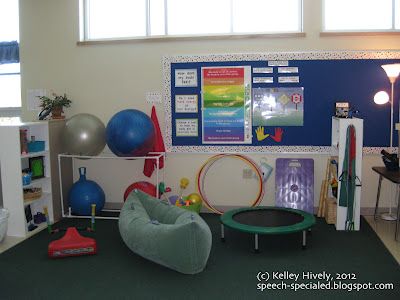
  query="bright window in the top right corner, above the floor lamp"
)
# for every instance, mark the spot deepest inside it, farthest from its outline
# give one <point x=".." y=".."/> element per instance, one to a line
<point x="361" y="15"/>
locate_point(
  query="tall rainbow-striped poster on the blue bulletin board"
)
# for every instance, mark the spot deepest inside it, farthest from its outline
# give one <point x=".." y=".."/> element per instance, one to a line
<point x="226" y="105"/>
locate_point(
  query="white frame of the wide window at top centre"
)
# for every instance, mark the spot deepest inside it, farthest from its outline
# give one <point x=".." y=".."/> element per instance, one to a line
<point x="84" y="28"/>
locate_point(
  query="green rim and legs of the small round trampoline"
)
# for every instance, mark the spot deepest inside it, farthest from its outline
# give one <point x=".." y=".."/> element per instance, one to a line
<point x="227" y="220"/>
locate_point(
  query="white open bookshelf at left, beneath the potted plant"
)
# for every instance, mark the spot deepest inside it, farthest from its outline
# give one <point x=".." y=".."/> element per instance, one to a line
<point x="12" y="162"/>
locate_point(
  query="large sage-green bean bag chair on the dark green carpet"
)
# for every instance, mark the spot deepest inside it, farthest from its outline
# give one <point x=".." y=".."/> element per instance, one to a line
<point x="163" y="233"/>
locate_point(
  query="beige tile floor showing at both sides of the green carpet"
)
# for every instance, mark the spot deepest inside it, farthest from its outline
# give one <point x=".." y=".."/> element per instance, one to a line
<point x="384" y="229"/>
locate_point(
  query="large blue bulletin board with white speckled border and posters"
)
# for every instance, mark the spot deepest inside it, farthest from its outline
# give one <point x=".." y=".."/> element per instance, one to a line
<point x="273" y="102"/>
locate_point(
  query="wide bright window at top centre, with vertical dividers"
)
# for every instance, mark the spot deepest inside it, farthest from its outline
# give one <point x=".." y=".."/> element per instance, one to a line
<point x="103" y="19"/>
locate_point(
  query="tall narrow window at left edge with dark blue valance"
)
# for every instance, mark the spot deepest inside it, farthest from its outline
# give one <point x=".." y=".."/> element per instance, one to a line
<point x="10" y="82"/>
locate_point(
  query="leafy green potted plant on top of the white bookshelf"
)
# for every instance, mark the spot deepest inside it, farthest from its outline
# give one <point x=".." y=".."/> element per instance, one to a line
<point x="55" y="105"/>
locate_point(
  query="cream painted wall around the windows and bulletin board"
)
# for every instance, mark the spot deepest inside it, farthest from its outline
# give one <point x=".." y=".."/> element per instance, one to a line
<point x="104" y="79"/>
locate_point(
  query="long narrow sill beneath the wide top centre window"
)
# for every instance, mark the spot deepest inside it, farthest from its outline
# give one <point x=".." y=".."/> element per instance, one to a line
<point x="190" y="38"/>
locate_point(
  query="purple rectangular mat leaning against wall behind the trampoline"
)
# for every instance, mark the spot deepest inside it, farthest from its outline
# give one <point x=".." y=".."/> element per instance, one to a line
<point x="294" y="183"/>
